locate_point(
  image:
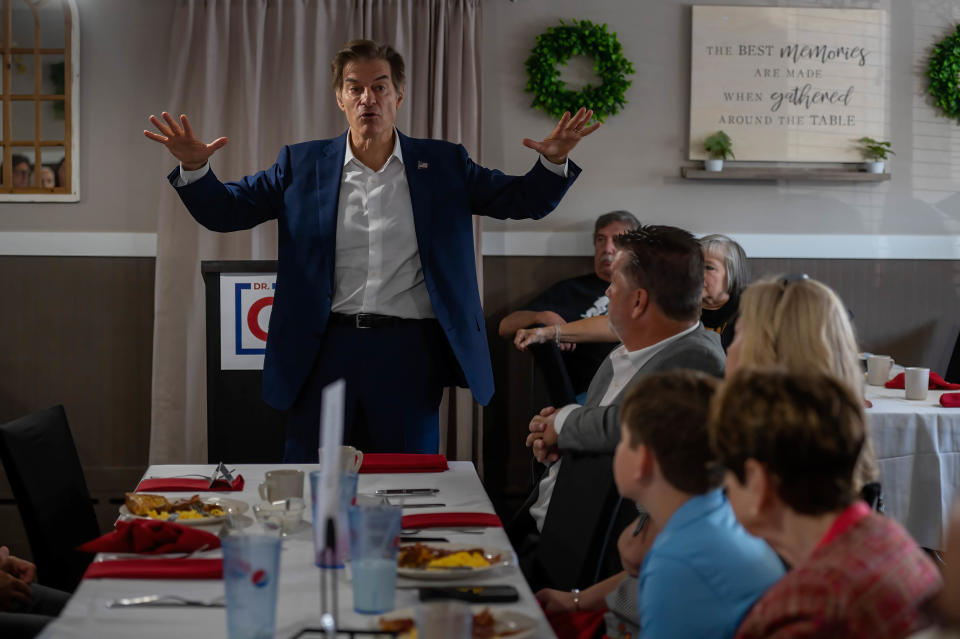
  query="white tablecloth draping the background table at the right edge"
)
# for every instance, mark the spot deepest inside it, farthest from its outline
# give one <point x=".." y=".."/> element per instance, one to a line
<point x="918" y="450"/>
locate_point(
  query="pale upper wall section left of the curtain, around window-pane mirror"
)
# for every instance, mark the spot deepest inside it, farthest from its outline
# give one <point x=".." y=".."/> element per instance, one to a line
<point x="123" y="78"/>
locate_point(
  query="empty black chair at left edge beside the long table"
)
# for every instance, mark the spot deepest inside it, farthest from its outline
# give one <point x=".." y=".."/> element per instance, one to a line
<point x="43" y="468"/>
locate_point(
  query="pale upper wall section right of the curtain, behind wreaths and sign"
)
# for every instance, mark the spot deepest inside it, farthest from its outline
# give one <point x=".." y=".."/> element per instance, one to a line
<point x="633" y="161"/>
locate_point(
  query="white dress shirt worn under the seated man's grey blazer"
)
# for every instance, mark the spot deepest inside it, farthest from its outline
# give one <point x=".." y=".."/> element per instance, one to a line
<point x="625" y="365"/>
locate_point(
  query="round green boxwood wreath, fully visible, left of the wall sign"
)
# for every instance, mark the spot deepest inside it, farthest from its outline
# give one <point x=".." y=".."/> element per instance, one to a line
<point x="555" y="47"/>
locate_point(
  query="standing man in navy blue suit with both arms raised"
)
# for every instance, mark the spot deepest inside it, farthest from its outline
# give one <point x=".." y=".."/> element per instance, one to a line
<point x="376" y="281"/>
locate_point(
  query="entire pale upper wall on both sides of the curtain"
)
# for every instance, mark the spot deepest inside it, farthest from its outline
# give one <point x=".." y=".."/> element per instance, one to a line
<point x="631" y="162"/>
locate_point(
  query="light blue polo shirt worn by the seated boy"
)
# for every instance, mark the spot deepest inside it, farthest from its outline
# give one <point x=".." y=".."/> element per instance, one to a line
<point x="703" y="573"/>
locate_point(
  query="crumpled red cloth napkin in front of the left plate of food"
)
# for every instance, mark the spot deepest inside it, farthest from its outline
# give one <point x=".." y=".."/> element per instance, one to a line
<point x="150" y="537"/>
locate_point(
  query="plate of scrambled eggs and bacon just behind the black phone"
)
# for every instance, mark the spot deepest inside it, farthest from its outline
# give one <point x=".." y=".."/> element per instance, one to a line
<point x="448" y="561"/>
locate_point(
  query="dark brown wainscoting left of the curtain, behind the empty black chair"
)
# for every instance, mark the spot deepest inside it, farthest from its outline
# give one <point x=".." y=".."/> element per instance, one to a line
<point x="78" y="331"/>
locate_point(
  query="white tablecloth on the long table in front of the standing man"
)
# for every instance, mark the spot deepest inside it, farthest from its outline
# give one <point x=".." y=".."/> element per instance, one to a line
<point x="298" y="601"/>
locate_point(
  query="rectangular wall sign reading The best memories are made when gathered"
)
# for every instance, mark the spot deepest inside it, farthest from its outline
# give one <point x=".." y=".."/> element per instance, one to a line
<point x="788" y="84"/>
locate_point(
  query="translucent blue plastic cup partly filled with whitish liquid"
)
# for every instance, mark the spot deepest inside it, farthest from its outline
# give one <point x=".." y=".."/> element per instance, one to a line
<point x="374" y="537"/>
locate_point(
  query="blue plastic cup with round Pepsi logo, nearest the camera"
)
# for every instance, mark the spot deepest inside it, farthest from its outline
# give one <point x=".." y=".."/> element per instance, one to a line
<point x="251" y="572"/>
